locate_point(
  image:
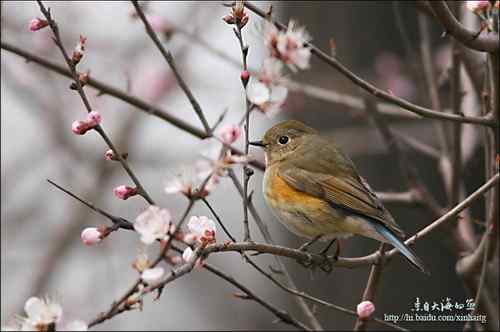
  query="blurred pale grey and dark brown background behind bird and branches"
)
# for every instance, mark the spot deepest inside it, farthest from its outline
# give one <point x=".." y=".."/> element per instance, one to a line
<point x="42" y="253"/>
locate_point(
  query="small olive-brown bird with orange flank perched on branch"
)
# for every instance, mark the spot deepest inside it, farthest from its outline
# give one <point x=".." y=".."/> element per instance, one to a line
<point x="314" y="189"/>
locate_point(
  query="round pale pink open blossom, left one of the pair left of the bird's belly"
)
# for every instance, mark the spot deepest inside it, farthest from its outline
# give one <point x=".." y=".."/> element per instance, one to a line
<point x="154" y="224"/>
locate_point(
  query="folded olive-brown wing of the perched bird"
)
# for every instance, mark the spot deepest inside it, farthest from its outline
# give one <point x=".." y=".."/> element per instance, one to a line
<point x="345" y="190"/>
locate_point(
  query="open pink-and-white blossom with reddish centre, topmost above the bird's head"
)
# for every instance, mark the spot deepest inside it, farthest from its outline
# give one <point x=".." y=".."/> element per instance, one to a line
<point x="288" y="46"/>
